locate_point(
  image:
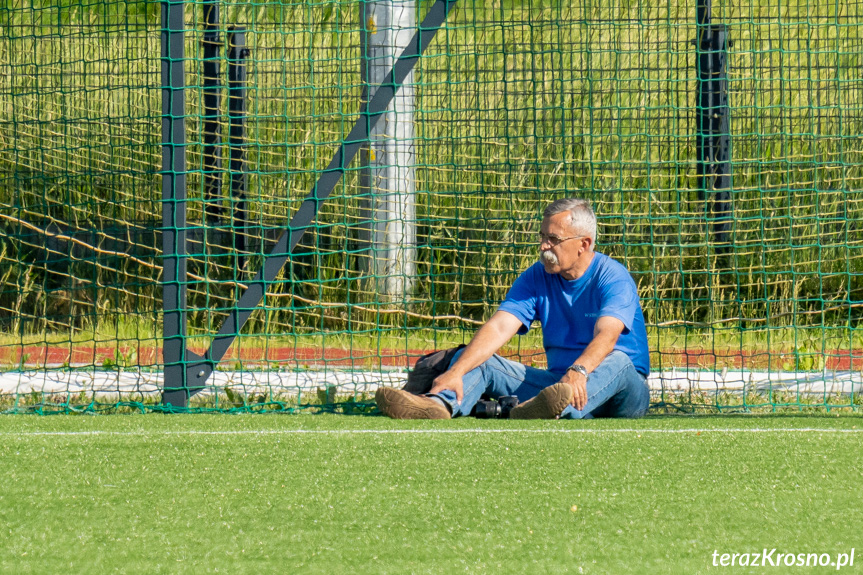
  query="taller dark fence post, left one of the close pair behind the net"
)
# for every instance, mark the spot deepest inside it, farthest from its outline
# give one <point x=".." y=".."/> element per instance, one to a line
<point x="212" y="115"/>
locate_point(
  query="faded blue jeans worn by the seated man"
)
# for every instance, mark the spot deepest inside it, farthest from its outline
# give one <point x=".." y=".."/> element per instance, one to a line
<point x="614" y="388"/>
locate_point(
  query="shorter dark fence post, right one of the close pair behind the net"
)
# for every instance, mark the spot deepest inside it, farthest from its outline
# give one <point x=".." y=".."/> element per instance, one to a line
<point x="237" y="92"/>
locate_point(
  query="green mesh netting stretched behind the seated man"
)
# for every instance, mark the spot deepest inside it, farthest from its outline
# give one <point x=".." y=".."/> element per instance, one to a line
<point x="516" y="104"/>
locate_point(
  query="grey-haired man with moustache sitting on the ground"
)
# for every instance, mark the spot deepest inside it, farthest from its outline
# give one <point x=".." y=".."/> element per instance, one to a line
<point x="593" y="333"/>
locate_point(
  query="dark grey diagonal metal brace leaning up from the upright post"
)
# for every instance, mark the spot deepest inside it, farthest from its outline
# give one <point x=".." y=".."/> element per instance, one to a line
<point x="199" y="368"/>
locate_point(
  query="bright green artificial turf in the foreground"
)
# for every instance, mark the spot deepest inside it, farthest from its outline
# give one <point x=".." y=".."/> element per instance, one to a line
<point x="338" y="494"/>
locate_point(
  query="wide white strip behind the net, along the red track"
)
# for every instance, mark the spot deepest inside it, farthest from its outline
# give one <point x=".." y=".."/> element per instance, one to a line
<point x="141" y="383"/>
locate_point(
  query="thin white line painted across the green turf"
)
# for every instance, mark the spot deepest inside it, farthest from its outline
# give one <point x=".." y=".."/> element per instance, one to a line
<point x="425" y="432"/>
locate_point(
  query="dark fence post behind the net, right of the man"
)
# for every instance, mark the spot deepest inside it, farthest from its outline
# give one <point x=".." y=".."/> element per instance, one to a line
<point x="713" y="142"/>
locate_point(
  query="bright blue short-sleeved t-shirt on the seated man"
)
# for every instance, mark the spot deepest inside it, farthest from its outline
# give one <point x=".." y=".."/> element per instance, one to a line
<point x="568" y="310"/>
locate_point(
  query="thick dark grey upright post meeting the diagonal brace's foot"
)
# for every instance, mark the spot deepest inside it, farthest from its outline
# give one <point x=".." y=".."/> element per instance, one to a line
<point x="175" y="391"/>
